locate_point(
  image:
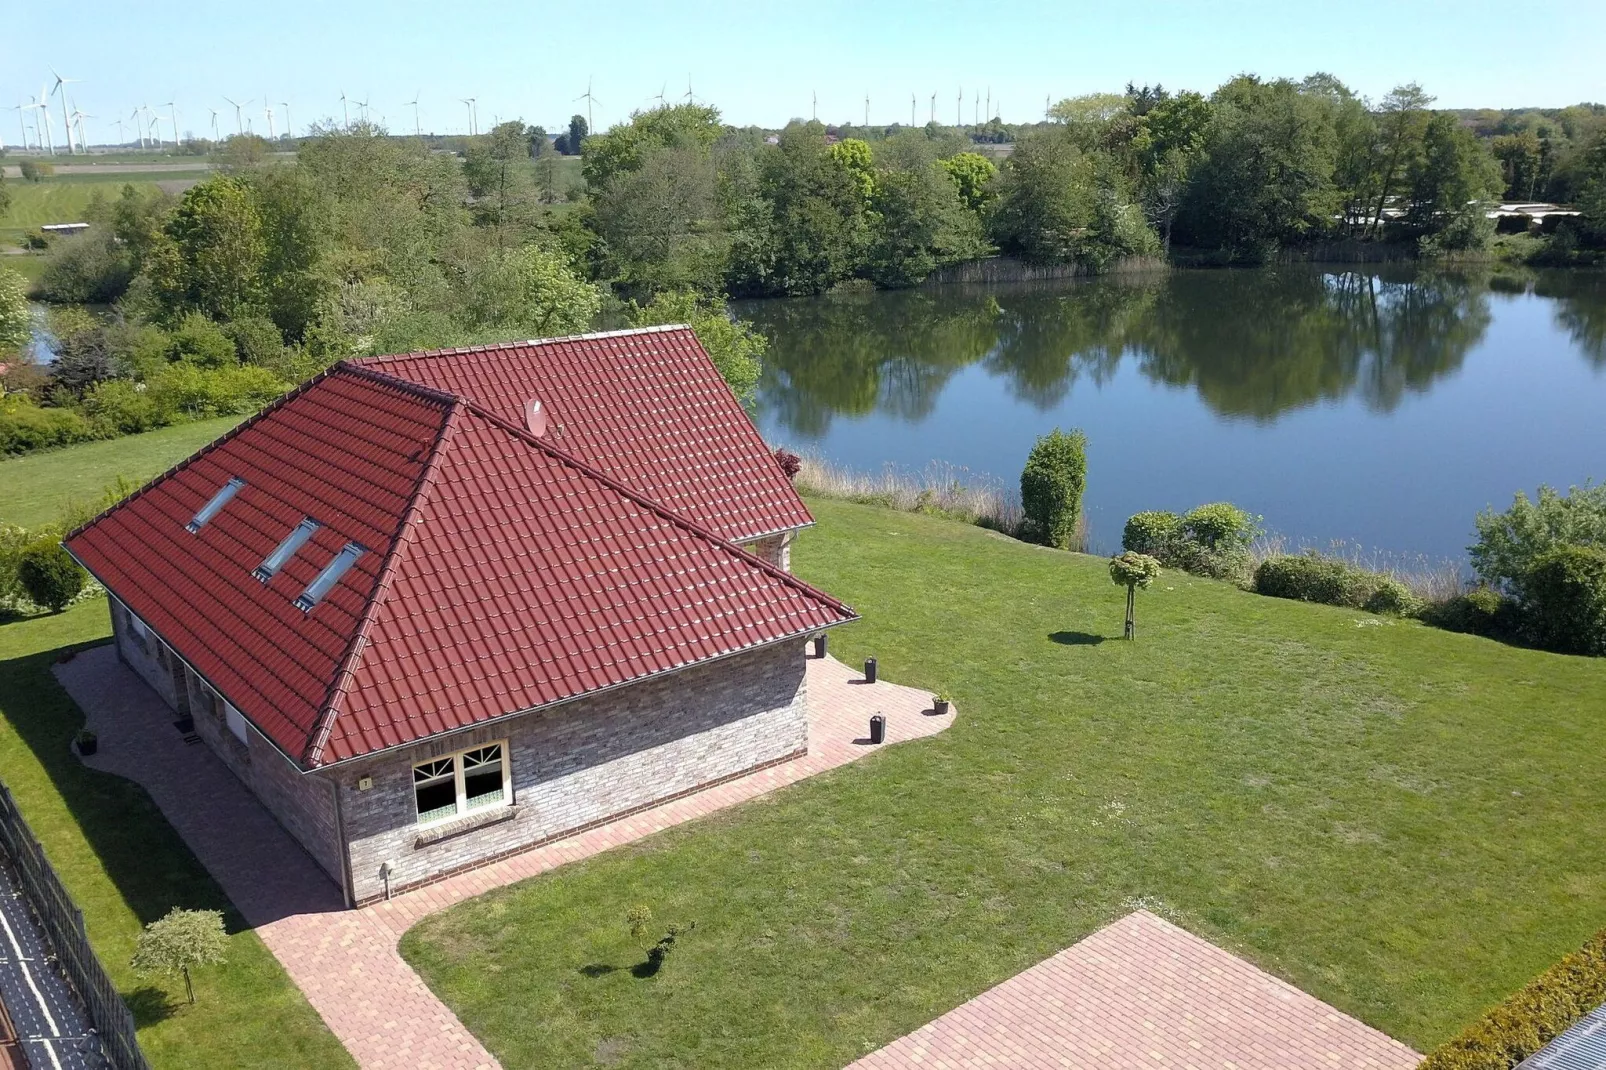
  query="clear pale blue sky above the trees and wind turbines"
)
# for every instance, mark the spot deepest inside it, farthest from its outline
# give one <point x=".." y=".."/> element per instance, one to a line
<point x="760" y="63"/>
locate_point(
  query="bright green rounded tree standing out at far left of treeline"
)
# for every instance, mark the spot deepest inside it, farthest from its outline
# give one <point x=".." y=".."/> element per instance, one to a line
<point x="213" y="253"/>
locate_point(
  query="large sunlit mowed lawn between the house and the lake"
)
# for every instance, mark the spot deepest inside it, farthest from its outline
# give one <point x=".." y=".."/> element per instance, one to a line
<point x="1398" y="820"/>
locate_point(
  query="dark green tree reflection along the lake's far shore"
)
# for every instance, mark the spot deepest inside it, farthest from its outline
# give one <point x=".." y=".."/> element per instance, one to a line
<point x="1253" y="345"/>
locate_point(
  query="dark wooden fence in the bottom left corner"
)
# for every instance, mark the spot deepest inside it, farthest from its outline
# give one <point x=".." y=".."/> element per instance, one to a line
<point x="63" y="926"/>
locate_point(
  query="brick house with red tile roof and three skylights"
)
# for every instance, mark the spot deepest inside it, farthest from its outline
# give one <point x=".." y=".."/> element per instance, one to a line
<point x="441" y="608"/>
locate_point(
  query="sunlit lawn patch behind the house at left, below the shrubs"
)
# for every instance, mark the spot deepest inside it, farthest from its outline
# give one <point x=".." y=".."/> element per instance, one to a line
<point x="36" y="488"/>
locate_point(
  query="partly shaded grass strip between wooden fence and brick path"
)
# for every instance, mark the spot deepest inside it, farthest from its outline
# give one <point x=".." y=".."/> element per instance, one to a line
<point x="126" y="867"/>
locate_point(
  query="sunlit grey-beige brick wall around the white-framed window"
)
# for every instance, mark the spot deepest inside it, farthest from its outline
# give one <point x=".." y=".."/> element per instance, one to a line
<point x="582" y="764"/>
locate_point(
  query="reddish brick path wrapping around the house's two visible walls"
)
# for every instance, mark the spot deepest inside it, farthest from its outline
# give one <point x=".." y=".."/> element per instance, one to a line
<point x="348" y="962"/>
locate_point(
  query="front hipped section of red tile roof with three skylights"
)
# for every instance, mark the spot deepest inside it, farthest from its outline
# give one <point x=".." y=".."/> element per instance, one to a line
<point x="502" y="574"/>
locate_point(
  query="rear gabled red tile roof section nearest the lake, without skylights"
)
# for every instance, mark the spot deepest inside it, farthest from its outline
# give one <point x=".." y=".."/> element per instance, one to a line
<point x="646" y="407"/>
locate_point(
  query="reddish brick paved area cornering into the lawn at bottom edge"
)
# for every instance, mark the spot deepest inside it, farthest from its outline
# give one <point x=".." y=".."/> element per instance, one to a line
<point x="1144" y="994"/>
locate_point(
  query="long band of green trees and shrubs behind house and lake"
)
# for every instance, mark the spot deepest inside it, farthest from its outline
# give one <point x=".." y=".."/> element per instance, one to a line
<point x="272" y="269"/>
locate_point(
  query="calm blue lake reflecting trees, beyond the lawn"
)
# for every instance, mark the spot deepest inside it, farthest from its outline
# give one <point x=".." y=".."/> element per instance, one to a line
<point x="1382" y="406"/>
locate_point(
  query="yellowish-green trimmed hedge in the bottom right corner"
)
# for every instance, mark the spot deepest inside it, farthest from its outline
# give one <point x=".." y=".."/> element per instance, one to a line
<point x="1536" y="1015"/>
